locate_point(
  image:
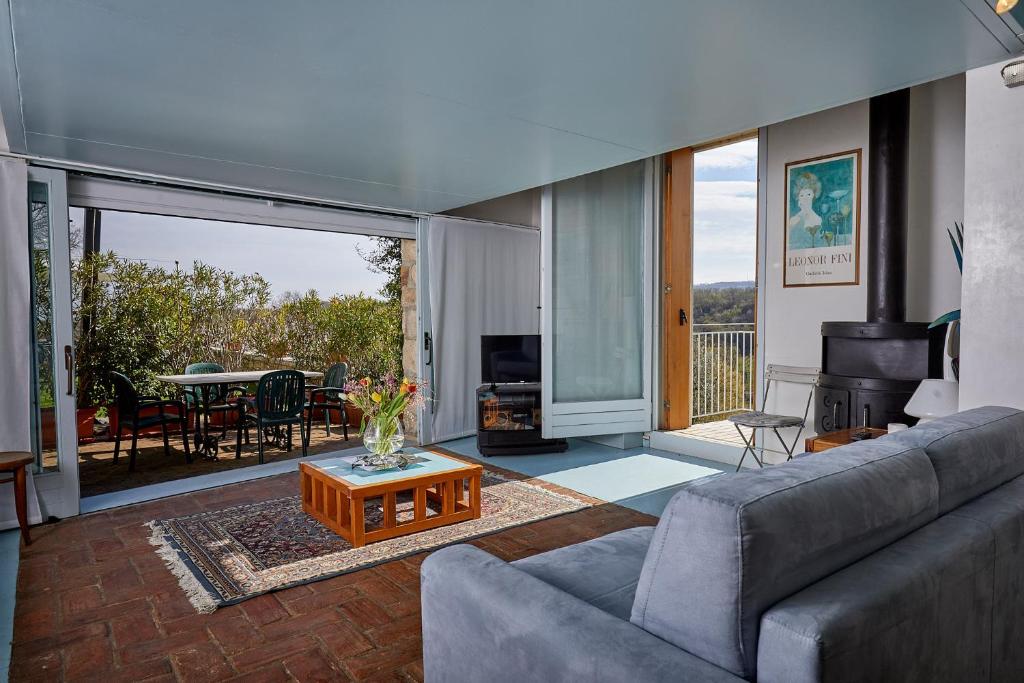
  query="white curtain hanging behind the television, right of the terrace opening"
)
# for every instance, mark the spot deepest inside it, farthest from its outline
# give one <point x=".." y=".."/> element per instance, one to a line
<point x="484" y="280"/>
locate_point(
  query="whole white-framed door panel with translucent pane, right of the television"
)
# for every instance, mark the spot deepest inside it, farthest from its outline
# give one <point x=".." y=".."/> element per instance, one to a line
<point x="598" y="286"/>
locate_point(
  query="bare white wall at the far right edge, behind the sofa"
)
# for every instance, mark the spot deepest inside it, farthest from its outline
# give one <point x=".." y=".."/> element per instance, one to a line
<point x="992" y="363"/>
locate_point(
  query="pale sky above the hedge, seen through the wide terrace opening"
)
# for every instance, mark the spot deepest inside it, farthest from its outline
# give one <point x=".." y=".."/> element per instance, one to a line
<point x="291" y="260"/>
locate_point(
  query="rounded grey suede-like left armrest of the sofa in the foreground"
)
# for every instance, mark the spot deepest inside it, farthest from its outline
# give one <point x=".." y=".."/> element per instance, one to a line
<point x="485" y="620"/>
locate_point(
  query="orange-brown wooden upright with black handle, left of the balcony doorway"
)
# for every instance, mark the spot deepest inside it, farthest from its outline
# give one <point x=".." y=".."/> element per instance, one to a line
<point x="677" y="291"/>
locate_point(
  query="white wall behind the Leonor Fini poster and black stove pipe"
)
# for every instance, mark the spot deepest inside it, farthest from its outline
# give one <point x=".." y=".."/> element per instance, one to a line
<point x="792" y="329"/>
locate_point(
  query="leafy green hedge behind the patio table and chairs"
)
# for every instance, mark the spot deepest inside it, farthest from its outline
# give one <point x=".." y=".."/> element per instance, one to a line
<point x="146" y="321"/>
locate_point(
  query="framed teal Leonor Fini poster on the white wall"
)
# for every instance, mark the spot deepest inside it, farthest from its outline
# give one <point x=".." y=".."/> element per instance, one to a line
<point x="823" y="222"/>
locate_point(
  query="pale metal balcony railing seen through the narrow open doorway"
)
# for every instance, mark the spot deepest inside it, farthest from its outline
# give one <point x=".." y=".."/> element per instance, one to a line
<point x="723" y="370"/>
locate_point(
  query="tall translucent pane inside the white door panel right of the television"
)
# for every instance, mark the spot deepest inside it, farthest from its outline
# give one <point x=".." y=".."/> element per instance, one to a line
<point x="599" y="242"/>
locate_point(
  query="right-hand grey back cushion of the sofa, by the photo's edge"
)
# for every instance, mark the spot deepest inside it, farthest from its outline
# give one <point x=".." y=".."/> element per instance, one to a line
<point x="972" y="452"/>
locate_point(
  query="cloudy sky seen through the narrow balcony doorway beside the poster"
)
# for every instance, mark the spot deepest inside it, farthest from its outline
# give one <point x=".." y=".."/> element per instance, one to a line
<point x="726" y="204"/>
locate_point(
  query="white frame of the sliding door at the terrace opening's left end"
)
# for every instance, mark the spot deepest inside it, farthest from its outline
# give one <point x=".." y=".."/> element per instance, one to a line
<point x="59" y="491"/>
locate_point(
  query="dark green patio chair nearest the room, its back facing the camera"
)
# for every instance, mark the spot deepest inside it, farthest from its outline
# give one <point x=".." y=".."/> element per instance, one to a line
<point x="280" y="403"/>
